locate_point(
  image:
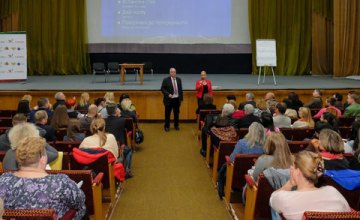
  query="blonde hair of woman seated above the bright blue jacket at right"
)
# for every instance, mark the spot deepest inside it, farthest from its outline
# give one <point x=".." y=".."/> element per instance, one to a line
<point x="331" y="141"/>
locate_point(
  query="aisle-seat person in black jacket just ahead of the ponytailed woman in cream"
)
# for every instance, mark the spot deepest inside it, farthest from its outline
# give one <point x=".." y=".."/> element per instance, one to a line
<point x="114" y="124"/>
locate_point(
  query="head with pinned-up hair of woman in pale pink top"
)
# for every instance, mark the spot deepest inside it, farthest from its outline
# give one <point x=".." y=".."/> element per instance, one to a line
<point x="307" y="168"/>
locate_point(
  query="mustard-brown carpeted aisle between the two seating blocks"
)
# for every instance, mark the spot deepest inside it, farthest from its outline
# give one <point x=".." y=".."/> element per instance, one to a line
<point x="171" y="180"/>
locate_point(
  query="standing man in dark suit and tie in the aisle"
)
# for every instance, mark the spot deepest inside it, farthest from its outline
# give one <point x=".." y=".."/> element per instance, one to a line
<point x="173" y="95"/>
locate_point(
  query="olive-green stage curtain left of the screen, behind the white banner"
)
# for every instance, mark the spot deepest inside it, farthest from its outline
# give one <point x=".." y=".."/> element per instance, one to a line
<point x="56" y="34"/>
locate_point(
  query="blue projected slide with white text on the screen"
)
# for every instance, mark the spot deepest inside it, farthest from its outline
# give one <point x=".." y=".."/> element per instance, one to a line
<point x="172" y="18"/>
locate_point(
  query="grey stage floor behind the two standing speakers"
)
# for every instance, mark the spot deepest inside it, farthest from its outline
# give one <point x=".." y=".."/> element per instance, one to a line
<point x="222" y="82"/>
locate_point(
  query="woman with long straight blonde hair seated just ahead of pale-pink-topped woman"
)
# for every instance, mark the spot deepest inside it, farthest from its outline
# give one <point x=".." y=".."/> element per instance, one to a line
<point x="277" y="154"/>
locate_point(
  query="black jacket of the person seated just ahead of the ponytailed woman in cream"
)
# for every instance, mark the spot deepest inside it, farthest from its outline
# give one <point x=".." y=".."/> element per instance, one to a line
<point x="116" y="126"/>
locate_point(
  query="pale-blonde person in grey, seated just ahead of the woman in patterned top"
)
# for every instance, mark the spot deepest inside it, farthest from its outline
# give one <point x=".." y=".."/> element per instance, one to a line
<point x="17" y="134"/>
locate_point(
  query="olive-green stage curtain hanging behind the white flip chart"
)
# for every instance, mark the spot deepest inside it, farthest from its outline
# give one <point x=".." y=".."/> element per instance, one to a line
<point x="289" y="22"/>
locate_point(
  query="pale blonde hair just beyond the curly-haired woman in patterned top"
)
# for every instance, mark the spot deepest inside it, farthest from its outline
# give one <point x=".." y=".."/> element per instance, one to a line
<point x="21" y="131"/>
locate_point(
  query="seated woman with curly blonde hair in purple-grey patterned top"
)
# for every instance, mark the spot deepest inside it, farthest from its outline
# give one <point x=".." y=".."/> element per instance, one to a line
<point x="38" y="189"/>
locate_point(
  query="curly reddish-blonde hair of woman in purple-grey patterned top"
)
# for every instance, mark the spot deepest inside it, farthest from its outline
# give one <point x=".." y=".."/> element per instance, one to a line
<point x="30" y="150"/>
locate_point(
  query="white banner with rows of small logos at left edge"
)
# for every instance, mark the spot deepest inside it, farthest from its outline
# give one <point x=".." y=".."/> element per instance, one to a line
<point x="13" y="56"/>
